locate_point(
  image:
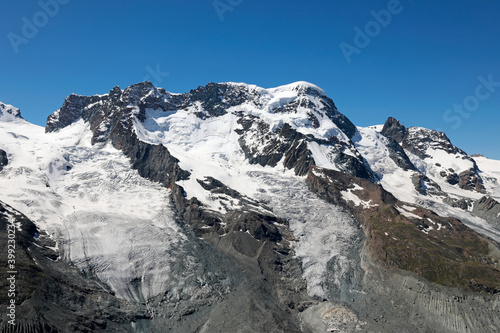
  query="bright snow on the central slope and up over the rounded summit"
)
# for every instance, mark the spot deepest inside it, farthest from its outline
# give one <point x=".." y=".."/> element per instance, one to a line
<point x="210" y="146"/>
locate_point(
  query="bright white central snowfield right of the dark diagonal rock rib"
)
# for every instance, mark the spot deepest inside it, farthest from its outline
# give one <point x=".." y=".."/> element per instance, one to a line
<point x="204" y="148"/>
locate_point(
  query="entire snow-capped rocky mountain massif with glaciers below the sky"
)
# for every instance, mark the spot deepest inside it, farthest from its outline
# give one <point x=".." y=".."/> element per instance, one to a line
<point x="238" y="208"/>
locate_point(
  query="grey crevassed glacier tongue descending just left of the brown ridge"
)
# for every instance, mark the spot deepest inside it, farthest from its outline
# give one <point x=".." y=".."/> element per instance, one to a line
<point x="325" y="233"/>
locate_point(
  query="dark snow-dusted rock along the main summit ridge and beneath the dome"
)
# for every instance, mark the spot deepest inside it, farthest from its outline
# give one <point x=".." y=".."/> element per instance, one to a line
<point x="111" y="117"/>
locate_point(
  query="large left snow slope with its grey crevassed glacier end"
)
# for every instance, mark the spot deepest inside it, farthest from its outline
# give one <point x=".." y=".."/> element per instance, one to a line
<point x="103" y="215"/>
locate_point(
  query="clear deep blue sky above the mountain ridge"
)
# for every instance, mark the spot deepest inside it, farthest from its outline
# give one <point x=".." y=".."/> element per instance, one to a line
<point x="415" y="68"/>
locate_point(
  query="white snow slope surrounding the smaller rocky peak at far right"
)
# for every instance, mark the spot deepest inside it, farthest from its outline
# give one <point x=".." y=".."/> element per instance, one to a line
<point x="373" y="147"/>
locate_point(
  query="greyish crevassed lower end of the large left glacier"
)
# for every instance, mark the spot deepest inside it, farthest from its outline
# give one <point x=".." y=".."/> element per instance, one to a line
<point x="133" y="256"/>
